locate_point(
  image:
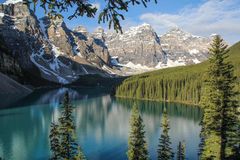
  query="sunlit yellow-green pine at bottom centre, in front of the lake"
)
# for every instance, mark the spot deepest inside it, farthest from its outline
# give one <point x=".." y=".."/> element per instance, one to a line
<point x="137" y="146"/>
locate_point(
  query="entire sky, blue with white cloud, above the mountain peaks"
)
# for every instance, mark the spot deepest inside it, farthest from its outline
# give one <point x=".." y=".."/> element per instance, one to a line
<point x="200" y="17"/>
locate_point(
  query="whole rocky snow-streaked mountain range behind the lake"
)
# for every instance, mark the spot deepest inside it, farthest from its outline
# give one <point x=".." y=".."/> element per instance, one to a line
<point x="47" y="49"/>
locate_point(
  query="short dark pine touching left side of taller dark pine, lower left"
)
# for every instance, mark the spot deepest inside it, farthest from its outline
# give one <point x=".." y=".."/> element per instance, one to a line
<point x="55" y="141"/>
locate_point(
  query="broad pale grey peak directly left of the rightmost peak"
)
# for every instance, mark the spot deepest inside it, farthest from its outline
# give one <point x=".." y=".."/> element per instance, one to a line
<point x="138" y="45"/>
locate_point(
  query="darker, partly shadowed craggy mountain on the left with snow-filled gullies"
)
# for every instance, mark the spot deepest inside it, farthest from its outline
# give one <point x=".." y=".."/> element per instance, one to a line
<point x="48" y="48"/>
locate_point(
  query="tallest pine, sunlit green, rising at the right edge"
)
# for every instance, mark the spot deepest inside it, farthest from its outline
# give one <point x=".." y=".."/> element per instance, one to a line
<point x="219" y="133"/>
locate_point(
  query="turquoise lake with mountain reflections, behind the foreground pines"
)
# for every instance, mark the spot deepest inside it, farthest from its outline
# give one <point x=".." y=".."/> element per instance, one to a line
<point x="102" y="124"/>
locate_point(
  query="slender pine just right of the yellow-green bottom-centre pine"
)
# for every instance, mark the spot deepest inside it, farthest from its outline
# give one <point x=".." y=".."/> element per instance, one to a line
<point x="165" y="151"/>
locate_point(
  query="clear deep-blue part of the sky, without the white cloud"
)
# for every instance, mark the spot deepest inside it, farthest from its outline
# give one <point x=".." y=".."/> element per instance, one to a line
<point x="132" y="17"/>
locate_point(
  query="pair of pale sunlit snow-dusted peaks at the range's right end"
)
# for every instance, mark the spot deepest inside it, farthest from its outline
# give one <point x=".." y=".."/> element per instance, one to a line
<point x="141" y="48"/>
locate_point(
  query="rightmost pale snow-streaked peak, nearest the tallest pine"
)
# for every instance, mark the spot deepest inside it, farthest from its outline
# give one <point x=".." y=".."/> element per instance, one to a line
<point x="185" y="48"/>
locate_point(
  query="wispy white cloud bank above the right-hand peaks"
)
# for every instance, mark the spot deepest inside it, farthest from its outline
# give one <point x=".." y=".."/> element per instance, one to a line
<point x="213" y="16"/>
